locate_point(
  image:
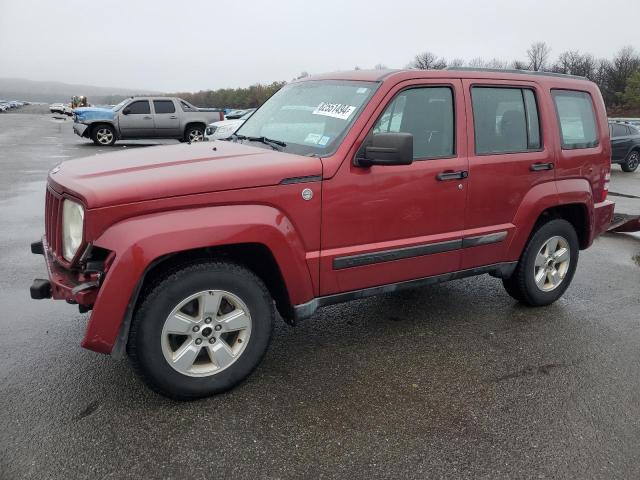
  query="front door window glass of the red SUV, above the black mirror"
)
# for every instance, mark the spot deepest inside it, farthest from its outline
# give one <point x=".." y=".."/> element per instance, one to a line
<point x="426" y="113"/>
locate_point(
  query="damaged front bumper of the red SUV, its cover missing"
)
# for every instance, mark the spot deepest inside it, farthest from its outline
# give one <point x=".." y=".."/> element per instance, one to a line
<point x="63" y="284"/>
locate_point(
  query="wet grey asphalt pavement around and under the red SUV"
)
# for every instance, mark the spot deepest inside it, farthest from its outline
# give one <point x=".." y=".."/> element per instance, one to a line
<point x="450" y="381"/>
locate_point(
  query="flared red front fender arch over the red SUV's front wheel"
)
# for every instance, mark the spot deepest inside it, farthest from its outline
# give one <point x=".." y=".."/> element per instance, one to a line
<point x="138" y="241"/>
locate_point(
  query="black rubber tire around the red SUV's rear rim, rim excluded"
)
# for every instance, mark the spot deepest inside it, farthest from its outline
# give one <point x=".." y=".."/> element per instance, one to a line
<point x="522" y="284"/>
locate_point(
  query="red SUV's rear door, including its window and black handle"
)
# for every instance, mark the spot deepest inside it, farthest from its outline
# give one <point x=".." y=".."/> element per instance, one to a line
<point x="509" y="154"/>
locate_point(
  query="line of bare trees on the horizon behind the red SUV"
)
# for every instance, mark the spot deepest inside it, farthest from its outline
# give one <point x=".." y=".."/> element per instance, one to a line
<point x="618" y="77"/>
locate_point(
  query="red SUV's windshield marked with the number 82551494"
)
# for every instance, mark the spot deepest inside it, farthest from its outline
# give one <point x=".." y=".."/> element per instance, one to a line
<point x="310" y="117"/>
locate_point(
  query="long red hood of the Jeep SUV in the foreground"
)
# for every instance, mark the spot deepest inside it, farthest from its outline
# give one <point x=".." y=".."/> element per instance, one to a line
<point x="139" y="174"/>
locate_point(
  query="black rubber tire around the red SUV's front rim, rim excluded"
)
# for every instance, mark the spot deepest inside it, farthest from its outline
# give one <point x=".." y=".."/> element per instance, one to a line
<point x="144" y="347"/>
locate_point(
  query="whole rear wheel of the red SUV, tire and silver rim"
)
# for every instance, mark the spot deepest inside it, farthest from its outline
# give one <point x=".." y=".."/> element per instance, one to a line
<point x="546" y="266"/>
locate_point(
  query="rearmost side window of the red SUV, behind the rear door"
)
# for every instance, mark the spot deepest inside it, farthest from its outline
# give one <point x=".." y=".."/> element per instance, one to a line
<point x="576" y="118"/>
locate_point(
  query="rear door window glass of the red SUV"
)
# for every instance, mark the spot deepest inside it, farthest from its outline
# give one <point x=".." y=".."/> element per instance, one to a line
<point x="505" y="120"/>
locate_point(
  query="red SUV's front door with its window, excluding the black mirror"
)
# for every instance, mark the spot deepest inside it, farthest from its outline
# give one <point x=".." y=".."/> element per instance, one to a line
<point x="387" y="224"/>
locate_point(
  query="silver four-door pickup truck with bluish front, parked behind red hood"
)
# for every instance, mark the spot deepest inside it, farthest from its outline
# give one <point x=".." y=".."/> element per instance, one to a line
<point x="144" y="117"/>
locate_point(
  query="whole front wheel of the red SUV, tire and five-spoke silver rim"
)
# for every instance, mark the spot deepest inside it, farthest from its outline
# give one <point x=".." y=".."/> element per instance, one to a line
<point x="201" y="330"/>
